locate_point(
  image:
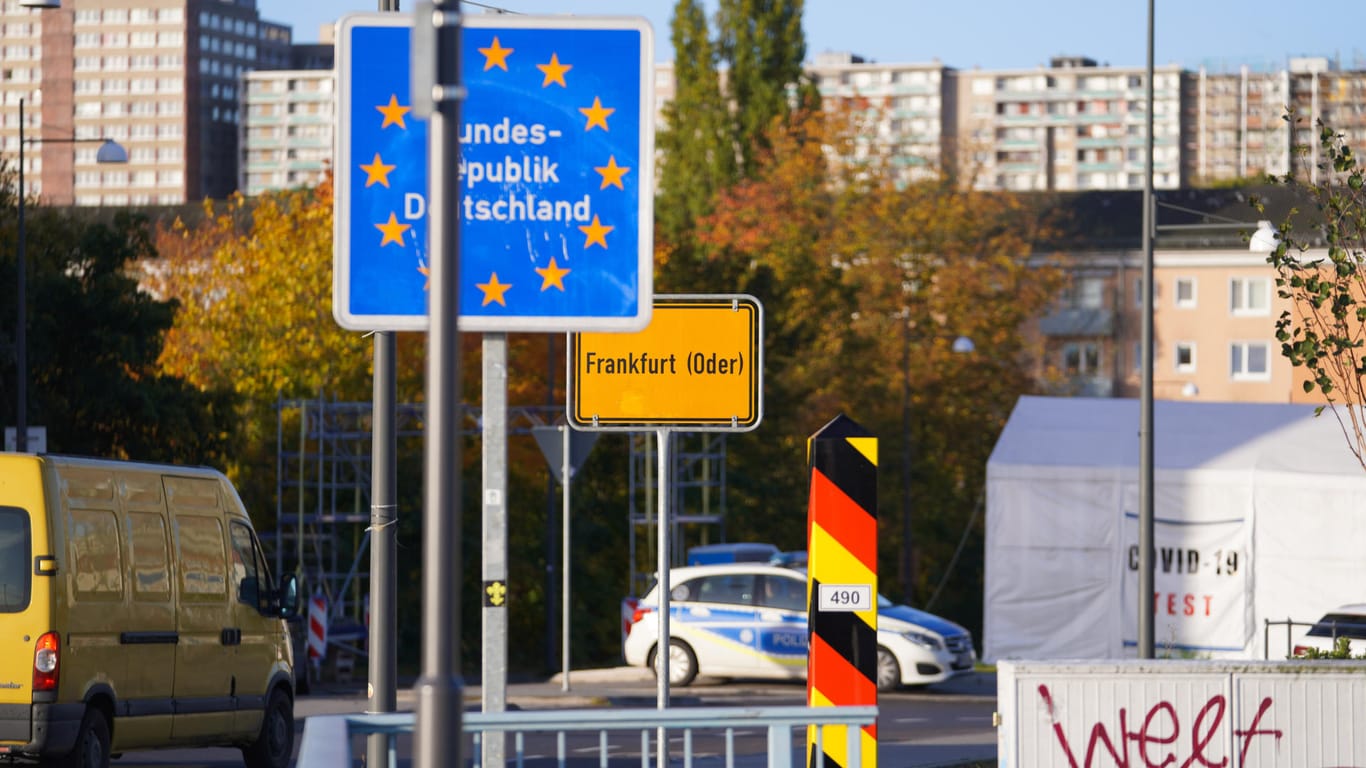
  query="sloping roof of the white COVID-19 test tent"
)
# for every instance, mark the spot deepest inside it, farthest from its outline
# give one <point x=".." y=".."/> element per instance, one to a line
<point x="1103" y="433"/>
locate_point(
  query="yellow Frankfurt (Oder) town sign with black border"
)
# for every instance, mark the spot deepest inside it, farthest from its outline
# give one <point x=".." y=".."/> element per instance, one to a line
<point x="697" y="366"/>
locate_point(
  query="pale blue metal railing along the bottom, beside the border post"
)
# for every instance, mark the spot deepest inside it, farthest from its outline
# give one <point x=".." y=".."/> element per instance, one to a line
<point x="329" y="739"/>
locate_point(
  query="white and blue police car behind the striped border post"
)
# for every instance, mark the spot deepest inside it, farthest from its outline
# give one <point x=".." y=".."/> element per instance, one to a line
<point x="749" y="621"/>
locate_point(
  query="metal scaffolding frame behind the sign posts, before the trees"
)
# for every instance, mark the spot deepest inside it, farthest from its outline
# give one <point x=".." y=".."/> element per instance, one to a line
<point x="323" y="498"/>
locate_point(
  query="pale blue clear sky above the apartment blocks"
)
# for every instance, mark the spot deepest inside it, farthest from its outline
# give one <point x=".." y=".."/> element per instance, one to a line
<point x="991" y="35"/>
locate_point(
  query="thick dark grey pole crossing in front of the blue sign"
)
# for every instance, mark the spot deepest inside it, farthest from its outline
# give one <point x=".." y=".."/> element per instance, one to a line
<point x="438" y="735"/>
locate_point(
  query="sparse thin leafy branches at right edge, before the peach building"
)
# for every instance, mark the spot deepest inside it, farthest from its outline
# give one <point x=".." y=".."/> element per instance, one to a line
<point x="1324" y="333"/>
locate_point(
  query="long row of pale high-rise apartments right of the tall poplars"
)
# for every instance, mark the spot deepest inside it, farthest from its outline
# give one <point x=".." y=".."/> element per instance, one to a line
<point x="1077" y="125"/>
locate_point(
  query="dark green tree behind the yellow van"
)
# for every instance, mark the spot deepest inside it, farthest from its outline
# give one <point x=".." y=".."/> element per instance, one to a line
<point x="94" y="340"/>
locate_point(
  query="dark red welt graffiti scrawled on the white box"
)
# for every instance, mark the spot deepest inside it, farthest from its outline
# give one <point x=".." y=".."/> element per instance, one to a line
<point x="1159" y="740"/>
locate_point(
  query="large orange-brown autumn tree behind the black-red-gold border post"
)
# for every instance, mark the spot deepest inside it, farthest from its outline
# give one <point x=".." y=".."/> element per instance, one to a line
<point x="865" y="285"/>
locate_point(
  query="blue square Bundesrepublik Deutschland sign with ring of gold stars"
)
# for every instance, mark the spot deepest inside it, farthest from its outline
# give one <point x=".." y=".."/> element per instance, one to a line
<point x="557" y="176"/>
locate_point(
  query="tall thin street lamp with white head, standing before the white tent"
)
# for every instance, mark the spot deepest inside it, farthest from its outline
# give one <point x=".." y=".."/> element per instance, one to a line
<point x="1263" y="241"/>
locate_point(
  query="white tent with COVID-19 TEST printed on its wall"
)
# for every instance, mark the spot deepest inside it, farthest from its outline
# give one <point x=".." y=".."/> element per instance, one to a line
<point x="1260" y="516"/>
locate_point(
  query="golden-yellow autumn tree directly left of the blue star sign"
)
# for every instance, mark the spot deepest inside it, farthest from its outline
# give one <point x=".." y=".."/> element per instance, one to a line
<point x="253" y="278"/>
